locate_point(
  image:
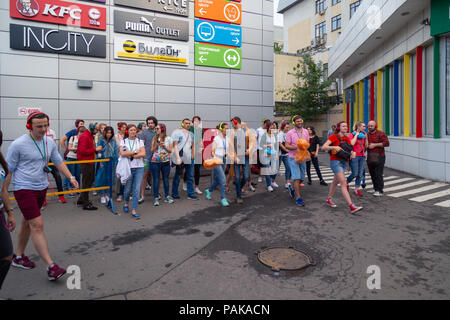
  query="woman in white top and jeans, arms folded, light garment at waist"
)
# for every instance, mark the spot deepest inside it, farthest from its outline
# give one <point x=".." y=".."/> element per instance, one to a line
<point x="133" y="149"/>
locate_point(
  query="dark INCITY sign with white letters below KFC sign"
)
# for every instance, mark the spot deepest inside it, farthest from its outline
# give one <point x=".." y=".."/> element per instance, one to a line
<point x="57" y="41"/>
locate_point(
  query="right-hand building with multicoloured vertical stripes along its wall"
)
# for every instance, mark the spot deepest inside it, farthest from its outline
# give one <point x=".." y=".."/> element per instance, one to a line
<point x="394" y="60"/>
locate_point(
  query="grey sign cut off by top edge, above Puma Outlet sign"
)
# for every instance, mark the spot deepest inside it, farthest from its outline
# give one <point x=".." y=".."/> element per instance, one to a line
<point x="176" y="7"/>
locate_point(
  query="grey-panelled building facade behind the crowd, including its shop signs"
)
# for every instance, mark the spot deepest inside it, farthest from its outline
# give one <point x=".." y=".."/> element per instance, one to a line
<point x="108" y="82"/>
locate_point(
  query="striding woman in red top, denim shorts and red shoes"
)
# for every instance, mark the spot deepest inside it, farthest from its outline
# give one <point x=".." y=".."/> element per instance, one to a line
<point x="338" y="166"/>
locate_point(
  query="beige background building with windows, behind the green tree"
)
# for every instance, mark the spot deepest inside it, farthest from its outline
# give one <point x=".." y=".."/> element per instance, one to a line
<point x="311" y="27"/>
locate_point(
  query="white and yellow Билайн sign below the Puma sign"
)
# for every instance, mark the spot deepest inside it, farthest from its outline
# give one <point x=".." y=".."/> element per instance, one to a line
<point x="137" y="49"/>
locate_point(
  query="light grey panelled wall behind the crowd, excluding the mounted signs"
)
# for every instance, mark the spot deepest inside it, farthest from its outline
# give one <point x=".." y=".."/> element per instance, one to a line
<point x="131" y="91"/>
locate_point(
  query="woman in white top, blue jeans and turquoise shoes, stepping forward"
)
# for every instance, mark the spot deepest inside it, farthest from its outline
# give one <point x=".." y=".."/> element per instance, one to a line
<point x="219" y="150"/>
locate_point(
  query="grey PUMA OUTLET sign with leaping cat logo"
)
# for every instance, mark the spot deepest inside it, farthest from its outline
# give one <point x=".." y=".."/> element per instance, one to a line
<point x="151" y="26"/>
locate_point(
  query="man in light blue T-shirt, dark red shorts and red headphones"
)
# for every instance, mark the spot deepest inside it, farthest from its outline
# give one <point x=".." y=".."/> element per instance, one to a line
<point x="28" y="157"/>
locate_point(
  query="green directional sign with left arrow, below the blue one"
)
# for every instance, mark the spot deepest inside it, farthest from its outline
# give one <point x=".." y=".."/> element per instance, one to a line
<point x="217" y="56"/>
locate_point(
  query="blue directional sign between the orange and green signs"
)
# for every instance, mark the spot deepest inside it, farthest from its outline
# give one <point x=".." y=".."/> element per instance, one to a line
<point x="218" y="33"/>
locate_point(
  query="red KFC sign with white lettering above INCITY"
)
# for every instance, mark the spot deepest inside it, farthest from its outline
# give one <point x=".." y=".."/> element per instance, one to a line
<point x="59" y="12"/>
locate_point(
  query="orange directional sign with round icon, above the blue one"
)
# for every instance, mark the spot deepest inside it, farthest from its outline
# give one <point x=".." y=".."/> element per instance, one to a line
<point x="220" y="10"/>
